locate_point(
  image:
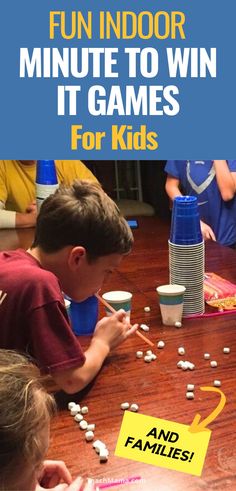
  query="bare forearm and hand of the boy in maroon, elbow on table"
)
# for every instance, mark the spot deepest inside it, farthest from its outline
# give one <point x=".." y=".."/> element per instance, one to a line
<point x="109" y="333"/>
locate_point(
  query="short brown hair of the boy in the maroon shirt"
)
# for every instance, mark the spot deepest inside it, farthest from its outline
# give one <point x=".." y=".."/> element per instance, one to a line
<point x="82" y="214"/>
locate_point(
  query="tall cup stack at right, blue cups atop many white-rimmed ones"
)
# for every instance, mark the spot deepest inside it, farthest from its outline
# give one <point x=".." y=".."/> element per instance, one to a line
<point x="187" y="253"/>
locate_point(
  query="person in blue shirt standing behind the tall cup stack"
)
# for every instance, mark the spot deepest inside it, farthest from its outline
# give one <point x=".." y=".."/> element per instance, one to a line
<point x="213" y="182"/>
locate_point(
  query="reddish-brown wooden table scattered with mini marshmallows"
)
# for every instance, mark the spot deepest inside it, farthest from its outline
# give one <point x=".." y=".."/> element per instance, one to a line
<point x="159" y="387"/>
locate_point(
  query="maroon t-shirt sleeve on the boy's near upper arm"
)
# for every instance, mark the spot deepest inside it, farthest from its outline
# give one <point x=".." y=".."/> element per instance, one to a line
<point x="52" y="341"/>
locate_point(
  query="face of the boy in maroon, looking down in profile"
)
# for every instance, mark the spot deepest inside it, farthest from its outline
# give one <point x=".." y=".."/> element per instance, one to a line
<point x="88" y="278"/>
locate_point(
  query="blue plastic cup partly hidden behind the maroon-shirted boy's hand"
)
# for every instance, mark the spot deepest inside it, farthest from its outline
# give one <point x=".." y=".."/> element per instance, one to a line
<point x="84" y="316"/>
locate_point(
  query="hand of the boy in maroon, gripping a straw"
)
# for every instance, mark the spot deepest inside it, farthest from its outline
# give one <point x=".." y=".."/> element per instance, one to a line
<point x="115" y="329"/>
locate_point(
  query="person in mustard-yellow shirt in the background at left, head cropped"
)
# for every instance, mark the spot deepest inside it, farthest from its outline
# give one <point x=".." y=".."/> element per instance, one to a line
<point x="17" y="188"/>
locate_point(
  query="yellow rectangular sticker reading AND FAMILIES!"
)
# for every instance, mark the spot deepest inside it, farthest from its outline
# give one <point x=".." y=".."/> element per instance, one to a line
<point x="162" y="443"/>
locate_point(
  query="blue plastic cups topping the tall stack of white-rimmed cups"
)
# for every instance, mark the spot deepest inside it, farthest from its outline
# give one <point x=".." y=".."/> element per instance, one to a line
<point x="185" y="222"/>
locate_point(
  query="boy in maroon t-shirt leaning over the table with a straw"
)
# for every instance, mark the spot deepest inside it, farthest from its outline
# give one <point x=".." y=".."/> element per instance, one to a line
<point x="80" y="238"/>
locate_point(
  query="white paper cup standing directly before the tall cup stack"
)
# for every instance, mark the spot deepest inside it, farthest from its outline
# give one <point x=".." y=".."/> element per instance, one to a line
<point x="171" y="300"/>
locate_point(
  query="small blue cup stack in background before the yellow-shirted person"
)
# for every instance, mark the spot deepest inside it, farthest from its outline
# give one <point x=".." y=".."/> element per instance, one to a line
<point x="46" y="180"/>
